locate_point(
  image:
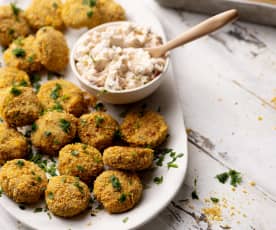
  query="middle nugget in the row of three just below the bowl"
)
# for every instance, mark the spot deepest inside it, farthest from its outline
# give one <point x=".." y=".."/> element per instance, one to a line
<point x="97" y="129"/>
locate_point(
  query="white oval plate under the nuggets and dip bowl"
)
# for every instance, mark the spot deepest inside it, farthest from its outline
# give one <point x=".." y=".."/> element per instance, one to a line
<point x="155" y="197"/>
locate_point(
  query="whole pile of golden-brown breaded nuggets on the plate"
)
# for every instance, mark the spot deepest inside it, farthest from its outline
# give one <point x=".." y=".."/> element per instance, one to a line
<point x="86" y="143"/>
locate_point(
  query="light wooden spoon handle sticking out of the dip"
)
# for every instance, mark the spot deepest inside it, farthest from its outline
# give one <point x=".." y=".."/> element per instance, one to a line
<point x="206" y="27"/>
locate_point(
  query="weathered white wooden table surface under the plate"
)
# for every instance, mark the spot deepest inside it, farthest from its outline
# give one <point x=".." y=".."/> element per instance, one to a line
<point x="226" y="83"/>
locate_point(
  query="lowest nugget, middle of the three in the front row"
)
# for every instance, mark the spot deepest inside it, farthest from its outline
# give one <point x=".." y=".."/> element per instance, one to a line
<point x="66" y="196"/>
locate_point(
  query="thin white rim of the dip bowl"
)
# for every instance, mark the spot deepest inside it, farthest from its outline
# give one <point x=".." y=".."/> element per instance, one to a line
<point x="100" y="90"/>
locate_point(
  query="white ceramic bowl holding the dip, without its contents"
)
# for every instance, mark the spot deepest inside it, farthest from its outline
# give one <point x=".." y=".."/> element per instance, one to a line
<point x="111" y="96"/>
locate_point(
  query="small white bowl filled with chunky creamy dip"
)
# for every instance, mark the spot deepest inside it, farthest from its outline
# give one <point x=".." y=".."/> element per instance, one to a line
<point x="110" y="61"/>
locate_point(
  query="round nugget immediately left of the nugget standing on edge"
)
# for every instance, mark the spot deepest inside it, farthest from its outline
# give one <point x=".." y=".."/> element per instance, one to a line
<point x="80" y="160"/>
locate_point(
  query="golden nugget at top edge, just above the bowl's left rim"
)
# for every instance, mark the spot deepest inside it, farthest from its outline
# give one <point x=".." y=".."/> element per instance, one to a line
<point x="81" y="13"/>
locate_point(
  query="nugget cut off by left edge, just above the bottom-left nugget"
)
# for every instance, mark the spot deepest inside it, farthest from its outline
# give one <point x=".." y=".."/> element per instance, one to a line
<point x="13" y="145"/>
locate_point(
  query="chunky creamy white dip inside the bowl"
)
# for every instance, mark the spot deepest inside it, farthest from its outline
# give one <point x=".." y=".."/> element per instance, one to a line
<point x="114" y="58"/>
